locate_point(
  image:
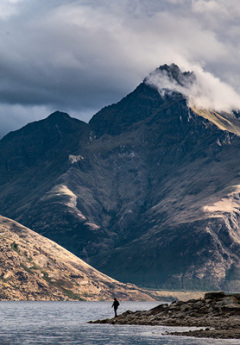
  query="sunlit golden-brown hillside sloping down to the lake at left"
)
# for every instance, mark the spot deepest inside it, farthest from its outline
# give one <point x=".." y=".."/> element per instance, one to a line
<point x="35" y="268"/>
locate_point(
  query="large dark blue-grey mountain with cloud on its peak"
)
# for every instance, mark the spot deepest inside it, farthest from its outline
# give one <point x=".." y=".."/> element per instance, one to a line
<point x="147" y="192"/>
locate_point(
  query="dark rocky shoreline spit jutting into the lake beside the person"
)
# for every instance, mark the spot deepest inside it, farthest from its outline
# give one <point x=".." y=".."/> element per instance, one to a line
<point x="217" y="313"/>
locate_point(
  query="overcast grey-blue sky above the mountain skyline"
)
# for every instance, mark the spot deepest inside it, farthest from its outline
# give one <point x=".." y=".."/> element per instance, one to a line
<point x="80" y="55"/>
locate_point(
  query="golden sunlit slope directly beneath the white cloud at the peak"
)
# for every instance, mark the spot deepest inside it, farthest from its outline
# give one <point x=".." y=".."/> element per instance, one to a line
<point x="224" y="121"/>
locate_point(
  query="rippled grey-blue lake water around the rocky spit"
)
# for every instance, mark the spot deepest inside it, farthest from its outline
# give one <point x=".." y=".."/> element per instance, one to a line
<point x="65" y="323"/>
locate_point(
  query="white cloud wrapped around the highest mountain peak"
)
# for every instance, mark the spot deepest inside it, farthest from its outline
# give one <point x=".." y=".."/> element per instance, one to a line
<point x="201" y="88"/>
